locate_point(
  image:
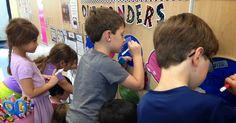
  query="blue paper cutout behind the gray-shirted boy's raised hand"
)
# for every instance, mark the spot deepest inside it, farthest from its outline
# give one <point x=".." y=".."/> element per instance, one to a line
<point x="125" y="50"/>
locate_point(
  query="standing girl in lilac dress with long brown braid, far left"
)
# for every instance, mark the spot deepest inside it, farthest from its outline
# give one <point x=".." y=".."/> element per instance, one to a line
<point x="22" y="38"/>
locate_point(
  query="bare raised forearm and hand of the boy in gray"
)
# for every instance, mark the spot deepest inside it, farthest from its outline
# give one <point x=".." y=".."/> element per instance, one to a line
<point x="136" y="80"/>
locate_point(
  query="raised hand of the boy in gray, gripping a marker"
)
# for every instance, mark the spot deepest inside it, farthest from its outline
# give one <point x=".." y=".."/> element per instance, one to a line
<point x="135" y="48"/>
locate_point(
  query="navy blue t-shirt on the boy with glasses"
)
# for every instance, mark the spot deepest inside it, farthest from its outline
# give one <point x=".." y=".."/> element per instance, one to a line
<point x="183" y="105"/>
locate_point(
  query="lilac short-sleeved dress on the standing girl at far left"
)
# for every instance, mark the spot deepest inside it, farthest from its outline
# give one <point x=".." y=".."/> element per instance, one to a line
<point x="23" y="68"/>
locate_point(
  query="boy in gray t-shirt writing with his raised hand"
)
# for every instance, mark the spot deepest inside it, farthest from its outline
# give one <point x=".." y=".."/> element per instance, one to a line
<point x="98" y="75"/>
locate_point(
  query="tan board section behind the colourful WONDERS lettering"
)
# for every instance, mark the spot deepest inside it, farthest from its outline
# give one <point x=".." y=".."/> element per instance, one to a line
<point x="143" y="32"/>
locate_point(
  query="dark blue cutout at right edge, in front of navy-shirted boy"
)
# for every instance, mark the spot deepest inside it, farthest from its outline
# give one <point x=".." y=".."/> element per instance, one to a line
<point x="222" y="68"/>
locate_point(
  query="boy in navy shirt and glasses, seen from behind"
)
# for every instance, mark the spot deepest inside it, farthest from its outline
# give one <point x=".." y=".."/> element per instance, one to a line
<point x="184" y="46"/>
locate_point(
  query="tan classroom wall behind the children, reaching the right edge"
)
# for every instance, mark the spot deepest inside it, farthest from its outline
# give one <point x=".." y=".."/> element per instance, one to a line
<point x="219" y="14"/>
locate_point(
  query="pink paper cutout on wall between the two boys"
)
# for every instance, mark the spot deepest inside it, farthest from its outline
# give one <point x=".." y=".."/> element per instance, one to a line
<point x="153" y="67"/>
